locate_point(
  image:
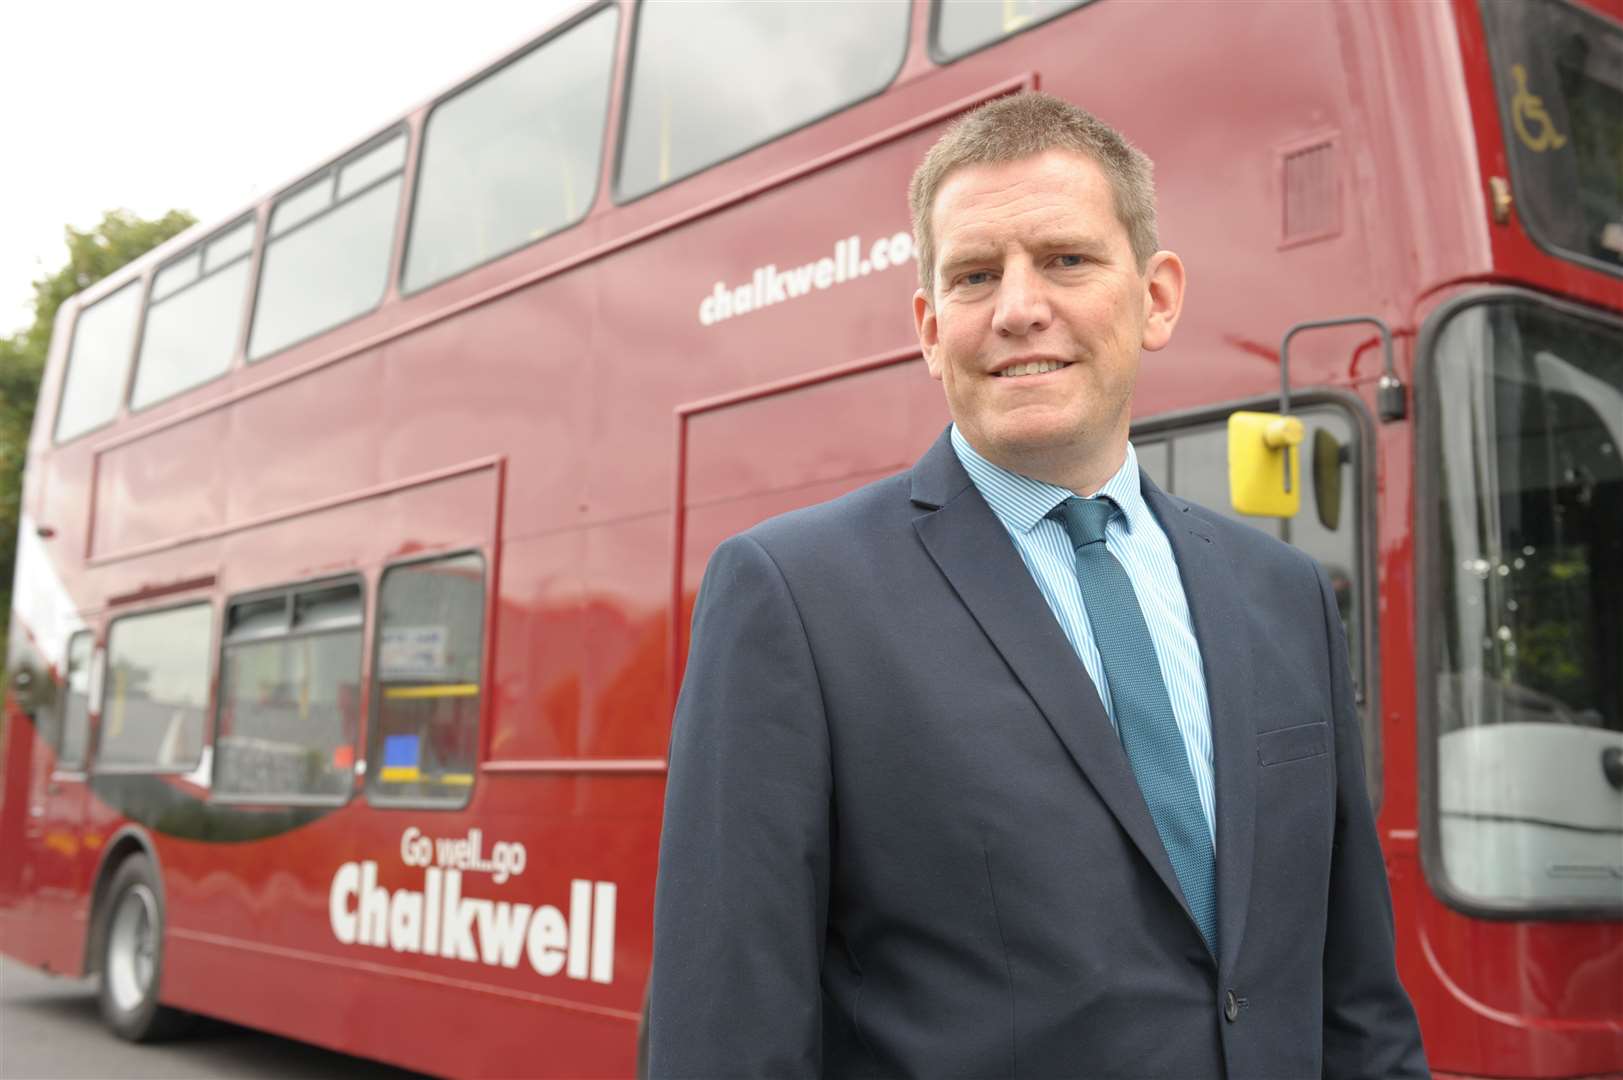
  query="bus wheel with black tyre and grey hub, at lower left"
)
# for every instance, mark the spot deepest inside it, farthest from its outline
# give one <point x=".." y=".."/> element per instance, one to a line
<point x="134" y="957"/>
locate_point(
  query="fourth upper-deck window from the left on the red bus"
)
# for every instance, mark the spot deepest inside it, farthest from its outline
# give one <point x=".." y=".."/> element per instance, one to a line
<point x="514" y="157"/>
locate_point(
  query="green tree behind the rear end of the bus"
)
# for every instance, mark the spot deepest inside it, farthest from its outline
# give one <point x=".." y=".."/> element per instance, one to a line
<point x="93" y="254"/>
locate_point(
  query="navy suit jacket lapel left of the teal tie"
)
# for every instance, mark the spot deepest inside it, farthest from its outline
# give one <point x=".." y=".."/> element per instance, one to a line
<point x="979" y="559"/>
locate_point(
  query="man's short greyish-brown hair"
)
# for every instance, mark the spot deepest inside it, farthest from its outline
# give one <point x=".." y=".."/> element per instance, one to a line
<point x="1025" y="126"/>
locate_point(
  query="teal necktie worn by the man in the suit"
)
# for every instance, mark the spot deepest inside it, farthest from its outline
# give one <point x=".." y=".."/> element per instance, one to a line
<point x="1143" y="711"/>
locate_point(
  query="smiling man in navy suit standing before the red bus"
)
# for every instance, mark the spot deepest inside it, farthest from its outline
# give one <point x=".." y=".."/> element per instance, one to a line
<point x="1012" y="764"/>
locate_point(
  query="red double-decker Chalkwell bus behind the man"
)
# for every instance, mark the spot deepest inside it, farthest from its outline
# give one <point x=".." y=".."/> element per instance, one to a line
<point x="363" y="529"/>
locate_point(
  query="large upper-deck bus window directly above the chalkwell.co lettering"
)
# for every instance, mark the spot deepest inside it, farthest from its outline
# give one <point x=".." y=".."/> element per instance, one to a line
<point x="713" y="80"/>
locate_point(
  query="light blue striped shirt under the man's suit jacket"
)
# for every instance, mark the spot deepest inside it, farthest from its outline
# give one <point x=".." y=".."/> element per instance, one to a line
<point x="1140" y="545"/>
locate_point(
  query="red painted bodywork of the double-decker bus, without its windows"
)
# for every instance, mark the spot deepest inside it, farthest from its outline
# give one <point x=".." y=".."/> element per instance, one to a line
<point x="593" y="413"/>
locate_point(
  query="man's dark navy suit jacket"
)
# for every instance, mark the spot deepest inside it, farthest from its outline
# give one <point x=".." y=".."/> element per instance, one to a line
<point x="903" y="840"/>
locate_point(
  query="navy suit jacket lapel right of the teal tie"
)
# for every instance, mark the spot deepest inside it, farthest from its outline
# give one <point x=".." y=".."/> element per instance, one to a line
<point x="1208" y="576"/>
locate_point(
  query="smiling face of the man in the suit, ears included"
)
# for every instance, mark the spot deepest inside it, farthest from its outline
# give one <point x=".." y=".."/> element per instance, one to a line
<point x="1041" y="313"/>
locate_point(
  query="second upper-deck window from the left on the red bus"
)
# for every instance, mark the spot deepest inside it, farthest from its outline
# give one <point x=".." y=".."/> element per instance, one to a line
<point x="196" y="318"/>
